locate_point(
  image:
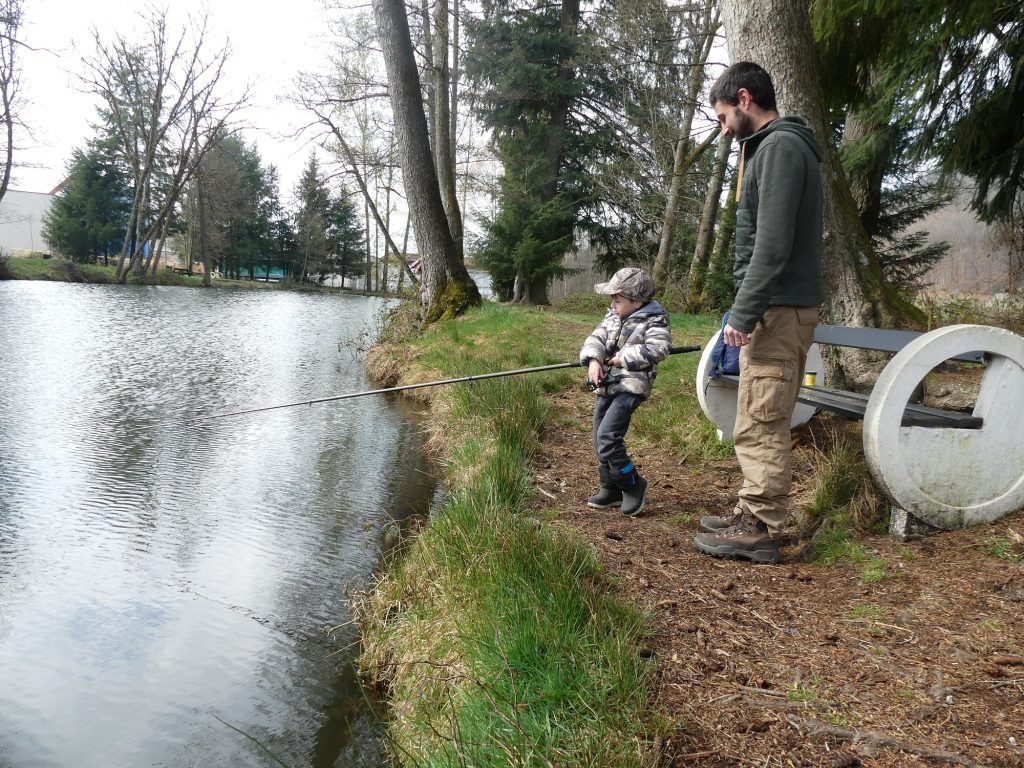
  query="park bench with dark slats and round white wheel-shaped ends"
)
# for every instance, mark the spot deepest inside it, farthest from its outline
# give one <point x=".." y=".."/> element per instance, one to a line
<point x="947" y="468"/>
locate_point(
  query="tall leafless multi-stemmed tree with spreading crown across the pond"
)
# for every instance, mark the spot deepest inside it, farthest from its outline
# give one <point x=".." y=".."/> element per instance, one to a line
<point x="161" y="101"/>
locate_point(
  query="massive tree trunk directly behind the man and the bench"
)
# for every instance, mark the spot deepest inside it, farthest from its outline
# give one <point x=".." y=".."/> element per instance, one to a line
<point x="777" y="34"/>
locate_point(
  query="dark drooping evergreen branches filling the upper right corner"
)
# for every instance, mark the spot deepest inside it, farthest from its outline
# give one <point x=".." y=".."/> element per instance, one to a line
<point x="959" y="74"/>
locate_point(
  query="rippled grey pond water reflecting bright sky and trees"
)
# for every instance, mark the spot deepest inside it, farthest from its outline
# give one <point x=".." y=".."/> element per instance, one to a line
<point x="159" y="577"/>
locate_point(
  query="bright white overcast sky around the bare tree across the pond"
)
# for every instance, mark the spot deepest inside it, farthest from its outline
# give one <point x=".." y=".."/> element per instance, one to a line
<point x="272" y="44"/>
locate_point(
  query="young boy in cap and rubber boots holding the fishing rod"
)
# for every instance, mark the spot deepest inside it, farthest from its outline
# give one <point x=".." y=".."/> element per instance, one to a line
<point x="622" y="356"/>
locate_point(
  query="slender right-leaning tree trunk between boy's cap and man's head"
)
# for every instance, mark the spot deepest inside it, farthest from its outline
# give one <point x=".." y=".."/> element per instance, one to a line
<point x="681" y="163"/>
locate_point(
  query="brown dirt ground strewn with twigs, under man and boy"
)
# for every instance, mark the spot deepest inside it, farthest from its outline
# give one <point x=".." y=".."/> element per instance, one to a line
<point x="800" y="664"/>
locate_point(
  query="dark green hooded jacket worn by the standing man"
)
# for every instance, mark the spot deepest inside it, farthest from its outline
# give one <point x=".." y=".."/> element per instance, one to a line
<point x="779" y="223"/>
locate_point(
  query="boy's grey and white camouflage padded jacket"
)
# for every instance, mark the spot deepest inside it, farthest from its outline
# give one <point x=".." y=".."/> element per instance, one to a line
<point x="642" y="342"/>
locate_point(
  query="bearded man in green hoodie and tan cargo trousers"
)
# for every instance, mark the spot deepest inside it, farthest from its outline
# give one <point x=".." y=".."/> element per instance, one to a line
<point x="778" y="276"/>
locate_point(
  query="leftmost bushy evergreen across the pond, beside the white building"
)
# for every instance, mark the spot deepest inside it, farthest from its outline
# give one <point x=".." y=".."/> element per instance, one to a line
<point x="89" y="218"/>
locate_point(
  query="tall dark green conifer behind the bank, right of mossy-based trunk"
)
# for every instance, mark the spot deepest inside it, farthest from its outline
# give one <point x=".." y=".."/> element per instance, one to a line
<point x="526" y="63"/>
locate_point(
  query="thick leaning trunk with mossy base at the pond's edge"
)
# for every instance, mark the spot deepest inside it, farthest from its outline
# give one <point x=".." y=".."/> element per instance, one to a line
<point x="448" y="289"/>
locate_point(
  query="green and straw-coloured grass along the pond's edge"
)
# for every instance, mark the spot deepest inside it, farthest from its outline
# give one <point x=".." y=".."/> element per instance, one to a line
<point x="495" y="633"/>
